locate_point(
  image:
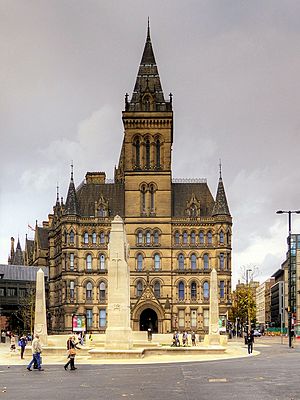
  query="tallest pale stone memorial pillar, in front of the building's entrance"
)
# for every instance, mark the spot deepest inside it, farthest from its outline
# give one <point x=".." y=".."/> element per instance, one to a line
<point x="118" y="331"/>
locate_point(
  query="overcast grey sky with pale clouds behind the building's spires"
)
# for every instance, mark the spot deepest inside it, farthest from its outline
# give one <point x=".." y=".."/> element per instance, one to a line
<point x="232" y="67"/>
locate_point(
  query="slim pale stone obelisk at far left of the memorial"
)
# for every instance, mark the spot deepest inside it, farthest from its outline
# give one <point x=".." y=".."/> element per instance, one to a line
<point x="40" y="319"/>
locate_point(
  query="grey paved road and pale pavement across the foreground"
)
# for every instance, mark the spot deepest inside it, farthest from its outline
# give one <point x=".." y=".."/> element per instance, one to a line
<point x="271" y="373"/>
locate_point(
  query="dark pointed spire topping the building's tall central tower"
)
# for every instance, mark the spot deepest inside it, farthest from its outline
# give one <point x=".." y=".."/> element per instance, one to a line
<point x="148" y="94"/>
